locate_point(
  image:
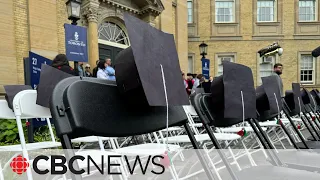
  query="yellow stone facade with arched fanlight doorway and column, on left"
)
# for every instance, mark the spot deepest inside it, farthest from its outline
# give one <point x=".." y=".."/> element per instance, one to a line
<point x="37" y="26"/>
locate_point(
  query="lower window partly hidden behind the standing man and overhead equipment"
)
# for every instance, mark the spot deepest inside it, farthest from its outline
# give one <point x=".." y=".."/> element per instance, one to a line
<point x="266" y="67"/>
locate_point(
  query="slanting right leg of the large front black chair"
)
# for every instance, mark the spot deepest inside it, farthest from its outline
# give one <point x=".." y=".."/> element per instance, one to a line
<point x="196" y="147"/>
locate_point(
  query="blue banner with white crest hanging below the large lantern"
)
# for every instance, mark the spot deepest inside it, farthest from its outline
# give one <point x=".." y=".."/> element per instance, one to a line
<point x="76" y="43"/>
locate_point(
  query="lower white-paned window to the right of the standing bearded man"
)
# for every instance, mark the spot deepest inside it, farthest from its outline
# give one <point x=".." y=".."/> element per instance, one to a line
<point x="307" y="72"/>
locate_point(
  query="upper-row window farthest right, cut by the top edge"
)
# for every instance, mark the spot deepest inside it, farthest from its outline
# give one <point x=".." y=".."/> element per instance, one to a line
<point x="307" y="10"/>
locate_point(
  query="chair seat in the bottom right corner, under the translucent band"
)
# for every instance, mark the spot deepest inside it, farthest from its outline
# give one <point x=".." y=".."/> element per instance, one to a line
<point x="275" y="173"/>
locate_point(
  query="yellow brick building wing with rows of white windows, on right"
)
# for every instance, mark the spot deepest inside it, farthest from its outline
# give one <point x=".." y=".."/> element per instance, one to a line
<point x="235" y="30"/>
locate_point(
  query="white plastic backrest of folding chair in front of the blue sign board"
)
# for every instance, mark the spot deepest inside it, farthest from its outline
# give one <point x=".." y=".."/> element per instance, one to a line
<point x="24" y="105"/>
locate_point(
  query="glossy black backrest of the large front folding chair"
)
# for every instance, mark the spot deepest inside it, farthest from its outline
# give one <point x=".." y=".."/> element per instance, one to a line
<point x="103" y="111"/>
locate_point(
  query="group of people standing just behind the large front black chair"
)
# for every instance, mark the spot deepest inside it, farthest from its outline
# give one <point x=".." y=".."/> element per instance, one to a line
<point x="103" y="69"/>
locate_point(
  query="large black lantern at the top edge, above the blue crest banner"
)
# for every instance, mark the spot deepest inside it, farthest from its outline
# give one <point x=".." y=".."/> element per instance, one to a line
<point x="73" y="8"/>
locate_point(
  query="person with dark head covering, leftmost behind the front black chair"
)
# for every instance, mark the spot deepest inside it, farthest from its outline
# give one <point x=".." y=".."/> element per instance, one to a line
<point x="61" y="62"/>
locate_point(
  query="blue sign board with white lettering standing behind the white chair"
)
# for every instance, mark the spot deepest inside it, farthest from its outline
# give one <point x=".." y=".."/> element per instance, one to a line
<point x="35" y="62"/>
